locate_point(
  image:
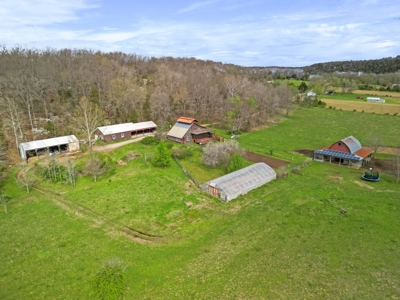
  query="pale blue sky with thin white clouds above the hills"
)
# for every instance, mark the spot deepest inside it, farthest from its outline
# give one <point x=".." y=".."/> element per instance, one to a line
<point x="248" y="33"/>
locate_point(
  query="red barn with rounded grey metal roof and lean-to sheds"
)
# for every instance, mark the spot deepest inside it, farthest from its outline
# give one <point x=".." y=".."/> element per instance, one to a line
<point x="345" y="152"/>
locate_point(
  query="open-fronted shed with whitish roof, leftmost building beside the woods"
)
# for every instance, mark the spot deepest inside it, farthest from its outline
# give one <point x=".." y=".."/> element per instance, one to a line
<point x="60" y="144"/>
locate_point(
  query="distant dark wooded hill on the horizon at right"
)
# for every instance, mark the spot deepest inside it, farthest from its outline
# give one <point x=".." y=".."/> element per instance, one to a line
<point x="377" y="66"/>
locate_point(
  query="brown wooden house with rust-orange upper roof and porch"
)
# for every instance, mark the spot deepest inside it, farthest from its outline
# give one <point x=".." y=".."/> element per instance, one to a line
<point x="187" y="130"/>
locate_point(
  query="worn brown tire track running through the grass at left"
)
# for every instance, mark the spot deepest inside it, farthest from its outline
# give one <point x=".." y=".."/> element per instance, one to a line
<point x="79" y="209"/>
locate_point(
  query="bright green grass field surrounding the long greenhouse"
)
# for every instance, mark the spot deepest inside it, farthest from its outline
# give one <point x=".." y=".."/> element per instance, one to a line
<point x="285" y="240"/>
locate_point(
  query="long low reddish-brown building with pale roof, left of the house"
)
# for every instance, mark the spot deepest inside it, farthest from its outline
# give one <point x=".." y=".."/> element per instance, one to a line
<point x="122" y="131"/>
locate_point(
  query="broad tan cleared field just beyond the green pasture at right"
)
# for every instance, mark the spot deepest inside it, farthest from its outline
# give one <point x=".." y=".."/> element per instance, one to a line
<point x="378" y="108"/>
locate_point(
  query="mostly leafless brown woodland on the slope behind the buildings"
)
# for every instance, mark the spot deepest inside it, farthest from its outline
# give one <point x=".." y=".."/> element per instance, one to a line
<point x="41" y="91"/>
